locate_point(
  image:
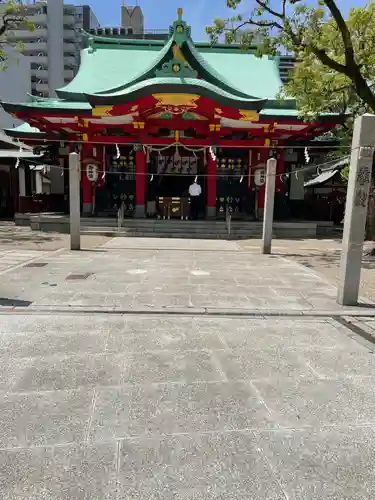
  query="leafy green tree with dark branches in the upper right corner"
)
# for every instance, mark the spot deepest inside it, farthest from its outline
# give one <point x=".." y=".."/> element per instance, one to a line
<point x="335" y="68"/>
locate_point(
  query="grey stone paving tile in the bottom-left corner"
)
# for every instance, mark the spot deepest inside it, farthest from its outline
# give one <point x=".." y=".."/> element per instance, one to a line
<point x="26" y="474"/>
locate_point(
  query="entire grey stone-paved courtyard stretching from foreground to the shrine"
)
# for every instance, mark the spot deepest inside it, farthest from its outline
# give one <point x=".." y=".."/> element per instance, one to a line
<point x="184" y="370"/>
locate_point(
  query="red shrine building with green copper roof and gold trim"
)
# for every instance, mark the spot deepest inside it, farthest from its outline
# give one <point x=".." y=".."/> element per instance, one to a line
<point x="148" y="117"/>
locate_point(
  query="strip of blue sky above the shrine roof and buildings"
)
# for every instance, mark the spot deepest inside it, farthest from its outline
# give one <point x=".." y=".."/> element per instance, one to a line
<point x="159" y="14"/>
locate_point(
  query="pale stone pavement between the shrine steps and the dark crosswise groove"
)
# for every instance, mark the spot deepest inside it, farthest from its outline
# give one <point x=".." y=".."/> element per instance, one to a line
<point x="147" y="274"/>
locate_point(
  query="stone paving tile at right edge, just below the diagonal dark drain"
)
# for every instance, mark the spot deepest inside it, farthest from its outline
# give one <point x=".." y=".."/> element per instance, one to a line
<point x="358" y="363"/>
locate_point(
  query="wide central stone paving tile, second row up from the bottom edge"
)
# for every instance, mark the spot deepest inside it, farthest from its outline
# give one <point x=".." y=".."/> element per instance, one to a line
<point x="176" y="408"/>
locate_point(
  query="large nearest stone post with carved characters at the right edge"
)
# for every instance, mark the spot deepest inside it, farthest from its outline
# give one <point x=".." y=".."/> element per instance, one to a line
<point x="356" y="209"/>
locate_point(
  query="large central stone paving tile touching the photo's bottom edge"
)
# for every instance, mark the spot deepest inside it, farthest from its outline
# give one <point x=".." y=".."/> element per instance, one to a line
<point x="217" y="464"/>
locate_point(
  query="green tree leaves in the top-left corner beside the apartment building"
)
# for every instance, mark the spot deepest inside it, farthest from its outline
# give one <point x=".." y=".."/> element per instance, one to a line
<point x="12" y="16"/>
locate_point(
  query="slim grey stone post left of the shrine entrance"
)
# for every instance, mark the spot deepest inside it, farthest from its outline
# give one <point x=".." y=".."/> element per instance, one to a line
<point x="74" y="200"/>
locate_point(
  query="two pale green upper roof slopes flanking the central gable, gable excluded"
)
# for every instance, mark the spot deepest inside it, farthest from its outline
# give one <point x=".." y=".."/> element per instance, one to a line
<point x="116" y="67"/>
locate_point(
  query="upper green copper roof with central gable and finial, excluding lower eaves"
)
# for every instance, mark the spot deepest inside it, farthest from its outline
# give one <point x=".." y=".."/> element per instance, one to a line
<point x="112" y="65"/>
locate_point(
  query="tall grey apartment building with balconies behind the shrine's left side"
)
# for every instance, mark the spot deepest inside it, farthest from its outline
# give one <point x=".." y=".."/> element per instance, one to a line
<point x="53" y="48"/>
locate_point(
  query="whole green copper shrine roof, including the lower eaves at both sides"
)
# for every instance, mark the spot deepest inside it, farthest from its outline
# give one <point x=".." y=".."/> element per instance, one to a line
<point x="117" y="71"/>
